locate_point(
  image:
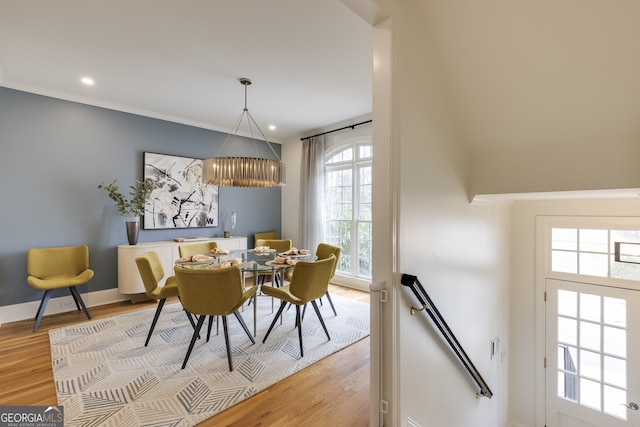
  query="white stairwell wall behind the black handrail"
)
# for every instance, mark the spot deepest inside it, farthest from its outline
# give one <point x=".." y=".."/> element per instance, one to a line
<point x="460" y="252"/>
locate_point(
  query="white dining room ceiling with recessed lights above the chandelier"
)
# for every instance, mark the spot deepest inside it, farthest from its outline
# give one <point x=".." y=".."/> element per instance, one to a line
<point x="309" y="60"/>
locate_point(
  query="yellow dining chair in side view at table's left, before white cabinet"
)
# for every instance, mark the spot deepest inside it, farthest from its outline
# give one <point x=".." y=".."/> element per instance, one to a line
<point x="151" y="273"/>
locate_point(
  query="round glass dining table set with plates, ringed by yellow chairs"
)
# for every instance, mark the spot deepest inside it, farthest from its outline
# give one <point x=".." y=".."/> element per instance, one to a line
<point x="251" y="262"/>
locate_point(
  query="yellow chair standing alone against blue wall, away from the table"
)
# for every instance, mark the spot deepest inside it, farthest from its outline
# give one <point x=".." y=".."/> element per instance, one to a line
<point x="60" y="267"/>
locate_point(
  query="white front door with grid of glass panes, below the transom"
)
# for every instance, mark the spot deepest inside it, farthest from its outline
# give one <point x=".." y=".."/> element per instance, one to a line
<point x="592" y="355"/>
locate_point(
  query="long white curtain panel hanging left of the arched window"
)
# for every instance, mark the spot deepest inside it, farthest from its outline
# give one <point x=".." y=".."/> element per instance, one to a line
<point x="312" y="193"/>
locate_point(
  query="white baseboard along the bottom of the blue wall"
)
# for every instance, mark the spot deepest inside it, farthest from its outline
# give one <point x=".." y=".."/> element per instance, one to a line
<point x="27" y="310"/>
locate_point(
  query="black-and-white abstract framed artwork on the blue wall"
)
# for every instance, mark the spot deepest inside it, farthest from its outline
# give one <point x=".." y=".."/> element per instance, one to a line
<point x="180" y="199"/>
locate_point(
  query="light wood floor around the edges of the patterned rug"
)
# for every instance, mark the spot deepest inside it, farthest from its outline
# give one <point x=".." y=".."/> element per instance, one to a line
<point x="334" y="391"/>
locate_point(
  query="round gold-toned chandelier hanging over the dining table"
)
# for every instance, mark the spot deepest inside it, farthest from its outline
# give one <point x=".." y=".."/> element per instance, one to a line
<point x="244" y="171"/>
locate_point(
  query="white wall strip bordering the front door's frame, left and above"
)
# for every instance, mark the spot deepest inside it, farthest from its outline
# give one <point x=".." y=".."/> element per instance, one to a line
<point x="525" y="403"/>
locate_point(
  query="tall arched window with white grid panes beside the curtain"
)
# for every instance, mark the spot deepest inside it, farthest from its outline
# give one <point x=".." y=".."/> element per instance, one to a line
<point x="348" y="205"/>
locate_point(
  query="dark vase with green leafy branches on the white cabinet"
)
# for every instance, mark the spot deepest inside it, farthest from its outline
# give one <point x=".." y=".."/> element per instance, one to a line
<point x="130" y="208"/>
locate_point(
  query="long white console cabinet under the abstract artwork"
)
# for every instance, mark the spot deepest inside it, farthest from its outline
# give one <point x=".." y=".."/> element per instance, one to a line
<point x="129" y="281"/>
